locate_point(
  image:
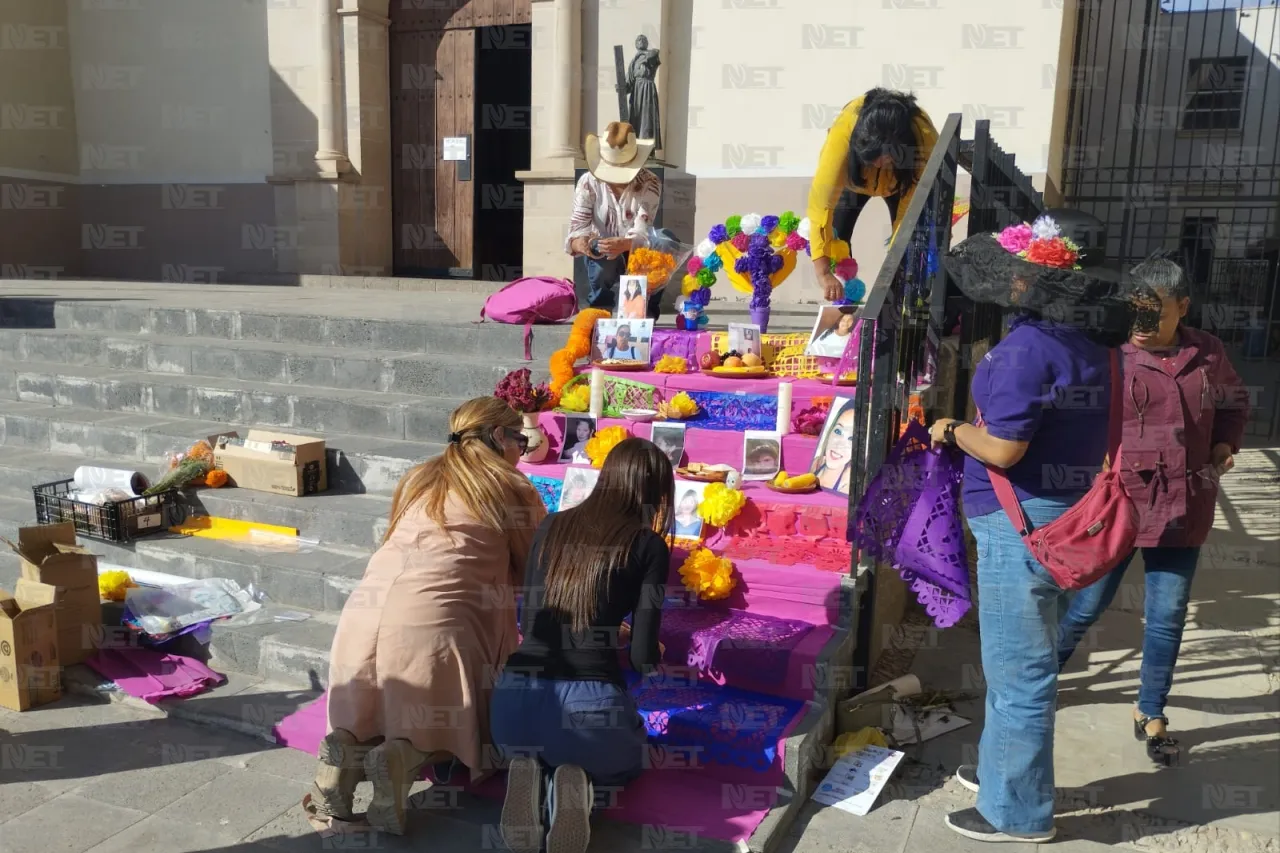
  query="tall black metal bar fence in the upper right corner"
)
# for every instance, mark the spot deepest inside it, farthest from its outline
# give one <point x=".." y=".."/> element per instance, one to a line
<point x="1173" y="143"/>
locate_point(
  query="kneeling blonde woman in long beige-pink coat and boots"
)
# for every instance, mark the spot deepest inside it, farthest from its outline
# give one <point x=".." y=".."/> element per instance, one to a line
<point x="426" y="633"/>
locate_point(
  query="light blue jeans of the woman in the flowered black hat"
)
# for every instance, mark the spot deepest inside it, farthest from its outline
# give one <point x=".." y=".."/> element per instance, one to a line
<point x="1020" y="610"/>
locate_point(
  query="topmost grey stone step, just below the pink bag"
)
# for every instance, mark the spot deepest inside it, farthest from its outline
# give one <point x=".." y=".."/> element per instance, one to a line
<point x="450" y="335"/>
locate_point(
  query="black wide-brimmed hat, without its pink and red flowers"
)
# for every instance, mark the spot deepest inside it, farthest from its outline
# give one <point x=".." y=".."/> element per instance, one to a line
<point x="1098" y="298"/>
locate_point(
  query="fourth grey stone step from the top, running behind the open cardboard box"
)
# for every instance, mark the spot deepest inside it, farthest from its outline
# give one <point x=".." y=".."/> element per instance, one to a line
<point x="356" y="464"/>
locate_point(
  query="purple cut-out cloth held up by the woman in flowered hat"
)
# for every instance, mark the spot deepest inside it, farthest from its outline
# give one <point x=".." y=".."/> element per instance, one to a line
<point x="911" y="519"/>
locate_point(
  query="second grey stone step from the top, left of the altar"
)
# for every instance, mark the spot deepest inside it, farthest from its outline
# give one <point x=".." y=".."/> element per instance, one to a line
<point x="291" y="364"/>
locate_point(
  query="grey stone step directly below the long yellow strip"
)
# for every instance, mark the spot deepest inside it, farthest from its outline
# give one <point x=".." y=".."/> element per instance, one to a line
<point x="319" y="580"/>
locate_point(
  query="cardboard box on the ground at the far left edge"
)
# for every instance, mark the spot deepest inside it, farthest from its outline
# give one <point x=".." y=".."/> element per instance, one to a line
<point x="30" y="670"/>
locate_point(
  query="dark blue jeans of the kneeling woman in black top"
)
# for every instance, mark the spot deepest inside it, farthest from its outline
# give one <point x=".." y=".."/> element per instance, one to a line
<point x="592" y="724"/>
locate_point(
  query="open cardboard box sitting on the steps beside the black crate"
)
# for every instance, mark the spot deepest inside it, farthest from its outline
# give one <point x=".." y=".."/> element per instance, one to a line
<point x="253" y="463"/>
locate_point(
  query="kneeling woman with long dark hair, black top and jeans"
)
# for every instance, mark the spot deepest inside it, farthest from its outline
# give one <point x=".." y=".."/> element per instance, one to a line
<point x="561" y="706"/>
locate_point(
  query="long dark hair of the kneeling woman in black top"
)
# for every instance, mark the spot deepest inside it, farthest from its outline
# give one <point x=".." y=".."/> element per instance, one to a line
<point x="586" y="545"/>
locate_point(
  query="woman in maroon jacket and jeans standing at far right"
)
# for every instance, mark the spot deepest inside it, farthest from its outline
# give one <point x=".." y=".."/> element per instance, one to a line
<point x="1185" y="416"/>
